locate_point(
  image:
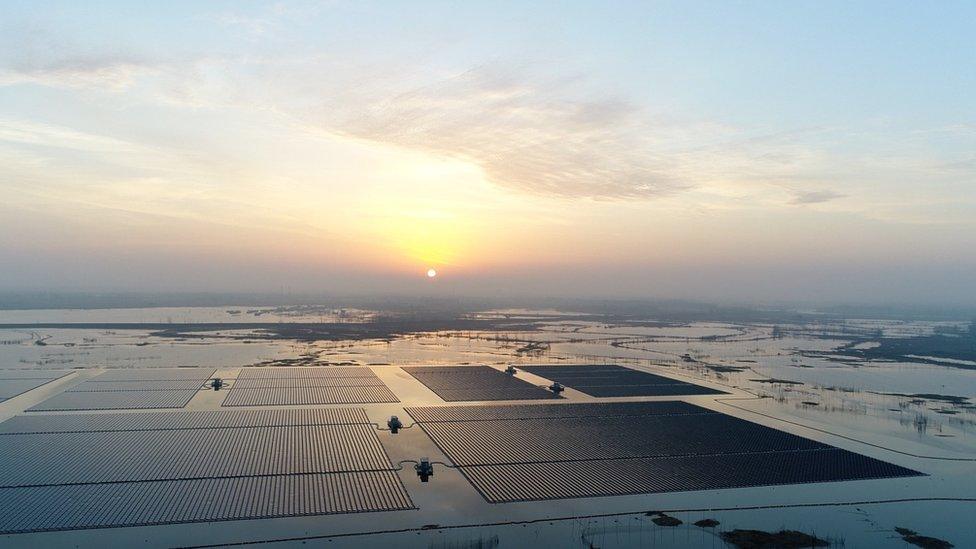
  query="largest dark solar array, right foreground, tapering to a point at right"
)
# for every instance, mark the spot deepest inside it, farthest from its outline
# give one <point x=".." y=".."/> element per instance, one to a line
<point x="587" y="450"/>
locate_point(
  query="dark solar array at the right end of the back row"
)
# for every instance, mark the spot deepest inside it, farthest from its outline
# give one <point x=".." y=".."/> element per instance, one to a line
<point x="616" y="381"/>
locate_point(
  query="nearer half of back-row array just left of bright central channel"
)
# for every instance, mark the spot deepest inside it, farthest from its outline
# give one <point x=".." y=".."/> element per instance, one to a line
<point x="309" y="395"/>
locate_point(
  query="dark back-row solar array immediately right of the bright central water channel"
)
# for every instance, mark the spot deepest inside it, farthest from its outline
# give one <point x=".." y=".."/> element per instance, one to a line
<point x="461" y="383"/>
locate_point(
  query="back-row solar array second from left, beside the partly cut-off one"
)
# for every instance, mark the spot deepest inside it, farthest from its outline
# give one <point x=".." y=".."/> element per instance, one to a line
<point x="131" y="389"/>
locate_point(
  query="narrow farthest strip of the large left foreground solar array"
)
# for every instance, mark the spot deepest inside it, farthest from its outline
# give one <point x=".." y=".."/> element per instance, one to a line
<point x="156" y="421"/>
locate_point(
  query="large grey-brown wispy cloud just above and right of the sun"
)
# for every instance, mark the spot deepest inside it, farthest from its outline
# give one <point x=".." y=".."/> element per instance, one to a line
<point x="525" y="135"/>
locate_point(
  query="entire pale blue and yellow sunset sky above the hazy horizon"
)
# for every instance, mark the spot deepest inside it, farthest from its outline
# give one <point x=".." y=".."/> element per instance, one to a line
<point x="719" y="151"/>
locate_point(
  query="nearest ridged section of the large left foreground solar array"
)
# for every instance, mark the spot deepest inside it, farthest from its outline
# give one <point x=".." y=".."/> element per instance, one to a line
<point x="179" y="501"/>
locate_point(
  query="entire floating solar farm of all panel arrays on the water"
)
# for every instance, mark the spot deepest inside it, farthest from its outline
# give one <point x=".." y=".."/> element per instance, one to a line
<point x="292" y="442"/>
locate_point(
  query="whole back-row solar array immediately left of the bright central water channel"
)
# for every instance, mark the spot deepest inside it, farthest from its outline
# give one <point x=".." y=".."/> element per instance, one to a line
<point x="293" y="386"/>
